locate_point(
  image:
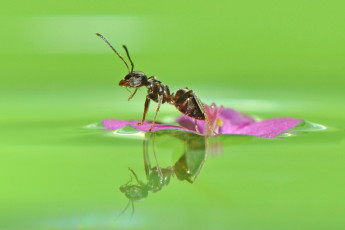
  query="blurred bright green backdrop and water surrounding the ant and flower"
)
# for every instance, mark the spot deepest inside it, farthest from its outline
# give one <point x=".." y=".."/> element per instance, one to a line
<point x="264" y="58"/>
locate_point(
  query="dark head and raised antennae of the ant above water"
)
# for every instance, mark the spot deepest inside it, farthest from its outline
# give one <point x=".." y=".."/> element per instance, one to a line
<point x="132" y="79"/>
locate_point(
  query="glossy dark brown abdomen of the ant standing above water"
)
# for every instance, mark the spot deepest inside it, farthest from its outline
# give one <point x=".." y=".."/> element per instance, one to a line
<point x="187" y="104"/>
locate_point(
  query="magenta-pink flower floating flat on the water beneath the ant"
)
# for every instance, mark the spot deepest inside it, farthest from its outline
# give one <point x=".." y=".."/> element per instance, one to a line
<point x="233" y="121"/>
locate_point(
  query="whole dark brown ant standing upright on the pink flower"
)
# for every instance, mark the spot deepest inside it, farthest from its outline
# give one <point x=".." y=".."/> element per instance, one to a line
<point x="184" y="100"/>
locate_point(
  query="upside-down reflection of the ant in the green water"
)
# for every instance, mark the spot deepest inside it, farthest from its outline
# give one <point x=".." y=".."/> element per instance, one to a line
<point x="186" y="168"/>
